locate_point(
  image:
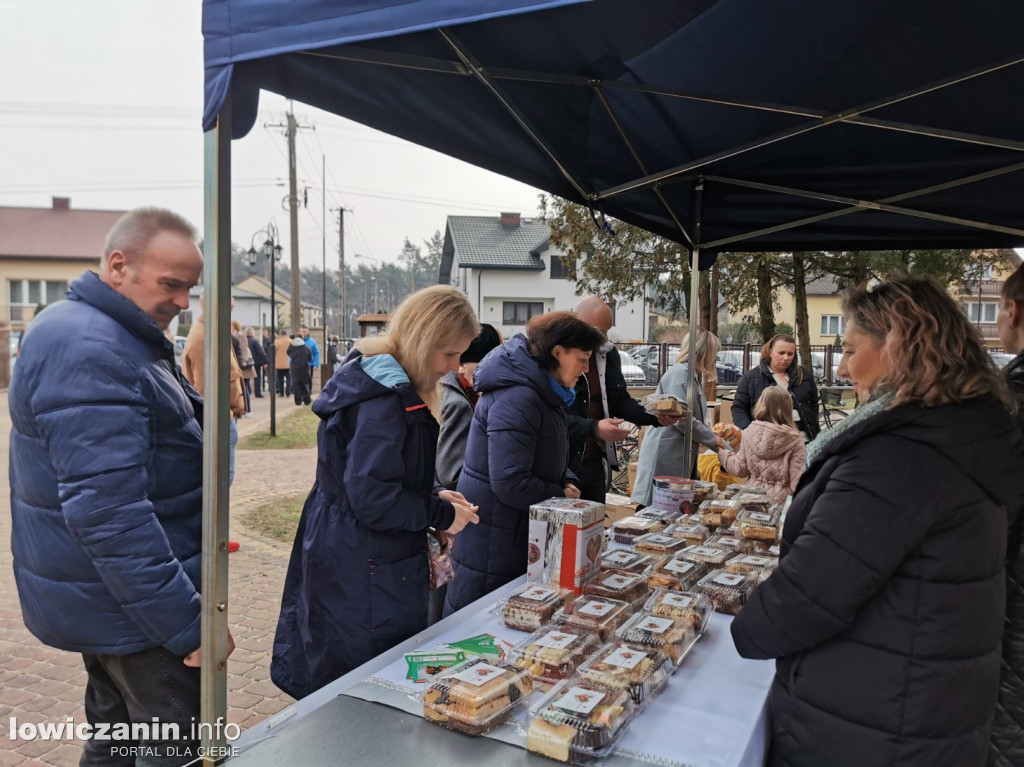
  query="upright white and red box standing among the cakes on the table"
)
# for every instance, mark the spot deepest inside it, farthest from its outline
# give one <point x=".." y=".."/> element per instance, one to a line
<point x="566" y="538"/>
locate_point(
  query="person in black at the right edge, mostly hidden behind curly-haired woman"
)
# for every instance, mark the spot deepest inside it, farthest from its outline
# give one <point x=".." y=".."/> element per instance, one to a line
<point x="1008" y="731"/>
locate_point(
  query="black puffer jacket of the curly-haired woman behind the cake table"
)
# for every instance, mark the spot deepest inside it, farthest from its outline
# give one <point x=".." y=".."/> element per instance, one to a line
<point x="886" y="612"/>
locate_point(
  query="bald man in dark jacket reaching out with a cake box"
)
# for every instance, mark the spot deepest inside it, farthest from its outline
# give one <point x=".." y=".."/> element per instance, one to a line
<point x="603" y="404"/>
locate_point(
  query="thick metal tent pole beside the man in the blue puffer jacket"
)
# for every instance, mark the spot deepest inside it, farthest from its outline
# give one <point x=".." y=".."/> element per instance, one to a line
<point x="218" y="348"/>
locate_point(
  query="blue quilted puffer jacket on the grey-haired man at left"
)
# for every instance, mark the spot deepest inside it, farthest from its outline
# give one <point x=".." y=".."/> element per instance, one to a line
<point x="106" y="479"/>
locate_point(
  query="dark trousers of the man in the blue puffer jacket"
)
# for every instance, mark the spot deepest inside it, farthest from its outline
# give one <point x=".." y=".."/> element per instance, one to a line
<point x="141" y="688"/>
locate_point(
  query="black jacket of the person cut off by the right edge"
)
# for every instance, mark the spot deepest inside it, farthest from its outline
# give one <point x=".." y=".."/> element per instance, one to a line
<point x="1008" y="733"/>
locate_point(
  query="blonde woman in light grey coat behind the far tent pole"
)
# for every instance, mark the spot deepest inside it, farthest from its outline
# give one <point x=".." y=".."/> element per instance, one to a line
<point x="662" y="452"/>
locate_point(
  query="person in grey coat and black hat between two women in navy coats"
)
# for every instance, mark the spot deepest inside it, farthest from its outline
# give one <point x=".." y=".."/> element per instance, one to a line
<point x="458" y="401"/>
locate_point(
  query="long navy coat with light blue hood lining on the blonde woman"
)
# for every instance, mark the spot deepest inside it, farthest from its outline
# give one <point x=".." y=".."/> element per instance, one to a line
<point x="359" y="576"/>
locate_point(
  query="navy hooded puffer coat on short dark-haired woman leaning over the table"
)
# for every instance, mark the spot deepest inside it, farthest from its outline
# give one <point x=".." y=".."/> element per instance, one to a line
<point x="517" y="455"/>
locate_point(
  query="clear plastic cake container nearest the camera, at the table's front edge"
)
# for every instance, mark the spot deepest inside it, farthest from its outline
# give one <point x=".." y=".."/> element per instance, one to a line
<point x="579" y="722"/>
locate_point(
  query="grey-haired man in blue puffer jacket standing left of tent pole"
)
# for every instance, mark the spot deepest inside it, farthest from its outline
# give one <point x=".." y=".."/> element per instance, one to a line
<point x="107" y="484"/>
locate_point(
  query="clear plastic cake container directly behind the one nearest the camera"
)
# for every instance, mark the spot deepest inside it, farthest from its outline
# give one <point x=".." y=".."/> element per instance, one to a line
<point x="641" y="671"/>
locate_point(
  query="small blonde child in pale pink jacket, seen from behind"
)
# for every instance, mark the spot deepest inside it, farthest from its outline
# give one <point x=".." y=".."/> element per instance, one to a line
<point x="772" y="453"/>
